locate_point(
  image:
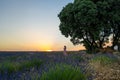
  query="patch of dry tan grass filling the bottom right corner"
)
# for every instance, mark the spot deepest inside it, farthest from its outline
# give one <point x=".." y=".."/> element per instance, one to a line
<point x="105" y="72"/>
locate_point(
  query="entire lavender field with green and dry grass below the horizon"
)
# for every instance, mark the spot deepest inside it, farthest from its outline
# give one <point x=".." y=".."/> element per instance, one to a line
<point x="56" y="66"/>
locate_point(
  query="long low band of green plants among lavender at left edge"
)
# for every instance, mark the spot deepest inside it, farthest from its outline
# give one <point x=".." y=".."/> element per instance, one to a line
<point x="10" y="67"/>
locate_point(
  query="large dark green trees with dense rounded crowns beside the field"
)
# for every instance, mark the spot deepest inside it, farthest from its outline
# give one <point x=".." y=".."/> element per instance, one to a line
<point x="93" y="23"/>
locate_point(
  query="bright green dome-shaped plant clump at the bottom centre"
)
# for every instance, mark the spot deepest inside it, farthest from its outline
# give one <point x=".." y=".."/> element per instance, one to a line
<point x="63" y="72"/>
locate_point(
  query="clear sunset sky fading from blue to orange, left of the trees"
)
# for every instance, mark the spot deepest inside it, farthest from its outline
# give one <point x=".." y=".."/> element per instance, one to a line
<point x="32" y="25"/>
